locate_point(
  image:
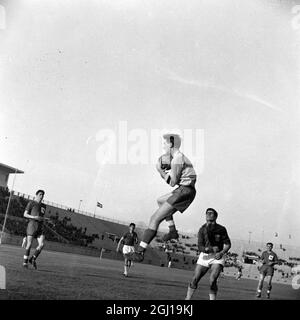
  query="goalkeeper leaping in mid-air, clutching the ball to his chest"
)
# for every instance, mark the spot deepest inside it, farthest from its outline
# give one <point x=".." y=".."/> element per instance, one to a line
<point x="176" y="170"/>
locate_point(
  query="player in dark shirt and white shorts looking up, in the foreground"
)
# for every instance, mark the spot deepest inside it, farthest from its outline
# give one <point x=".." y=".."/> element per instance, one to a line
<point x="213" y="243"/>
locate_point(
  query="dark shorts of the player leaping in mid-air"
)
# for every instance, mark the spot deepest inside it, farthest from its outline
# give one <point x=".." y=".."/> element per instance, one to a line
<point x="182" y="197"/>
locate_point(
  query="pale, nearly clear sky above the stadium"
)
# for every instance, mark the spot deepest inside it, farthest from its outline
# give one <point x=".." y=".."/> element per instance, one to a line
<point x="75" y="73"/>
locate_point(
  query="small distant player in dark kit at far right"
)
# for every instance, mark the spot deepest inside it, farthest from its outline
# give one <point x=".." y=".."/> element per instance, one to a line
<point x="269" y="259"/>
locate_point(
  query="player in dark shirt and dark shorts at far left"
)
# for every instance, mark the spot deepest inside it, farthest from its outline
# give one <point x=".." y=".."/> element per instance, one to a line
<point x="35" y="211"/>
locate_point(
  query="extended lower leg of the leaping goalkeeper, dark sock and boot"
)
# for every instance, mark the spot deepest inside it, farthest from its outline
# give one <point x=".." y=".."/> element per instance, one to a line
<point x="165" y="210"/>
